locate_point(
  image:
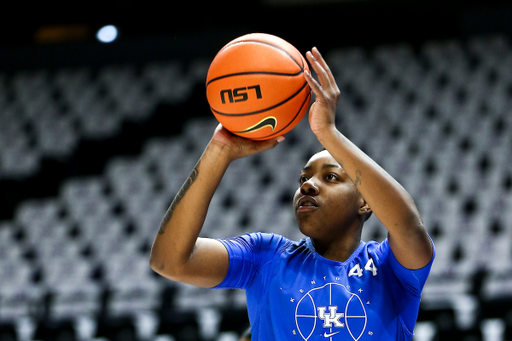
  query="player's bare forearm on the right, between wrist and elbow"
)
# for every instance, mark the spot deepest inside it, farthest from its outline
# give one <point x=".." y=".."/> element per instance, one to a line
<point x="390" y="202"/>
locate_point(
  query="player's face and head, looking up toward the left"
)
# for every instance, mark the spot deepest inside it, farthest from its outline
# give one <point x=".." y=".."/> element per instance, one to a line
<point x="327" y="203"/>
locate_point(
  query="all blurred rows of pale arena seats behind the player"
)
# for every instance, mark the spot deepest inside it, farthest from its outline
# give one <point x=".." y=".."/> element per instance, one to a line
<point x="435" y="116"/>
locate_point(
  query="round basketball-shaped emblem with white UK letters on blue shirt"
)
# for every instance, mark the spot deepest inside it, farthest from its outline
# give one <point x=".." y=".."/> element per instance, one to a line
<point x="331" y="312"/>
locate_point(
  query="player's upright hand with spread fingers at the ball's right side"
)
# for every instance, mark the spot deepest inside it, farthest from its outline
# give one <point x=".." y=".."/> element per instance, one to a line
<point x="323" y="111"/>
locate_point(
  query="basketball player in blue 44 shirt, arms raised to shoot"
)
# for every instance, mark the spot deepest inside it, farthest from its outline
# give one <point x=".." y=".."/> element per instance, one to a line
<point x="330" y="285"/>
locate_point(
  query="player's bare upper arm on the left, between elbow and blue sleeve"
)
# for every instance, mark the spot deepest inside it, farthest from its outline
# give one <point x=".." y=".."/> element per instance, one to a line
<point x="207" y="266"/>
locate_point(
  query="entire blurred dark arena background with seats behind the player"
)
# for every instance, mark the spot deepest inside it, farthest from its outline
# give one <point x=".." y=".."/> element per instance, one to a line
<point x="103" y="114"/>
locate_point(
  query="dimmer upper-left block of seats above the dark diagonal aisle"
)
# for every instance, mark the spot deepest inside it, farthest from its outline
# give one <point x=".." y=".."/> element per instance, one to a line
<point x="46" y="115"/>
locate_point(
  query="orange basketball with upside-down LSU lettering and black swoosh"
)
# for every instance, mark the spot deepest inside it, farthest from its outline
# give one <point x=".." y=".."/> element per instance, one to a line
<point x="256" y="86"/>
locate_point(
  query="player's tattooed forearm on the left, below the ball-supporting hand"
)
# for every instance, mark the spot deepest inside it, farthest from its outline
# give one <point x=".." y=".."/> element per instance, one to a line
<point x="184" y="219"/>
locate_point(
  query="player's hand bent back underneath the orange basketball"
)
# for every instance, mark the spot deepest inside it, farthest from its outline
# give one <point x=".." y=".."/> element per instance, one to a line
<point x="237" y="147"/>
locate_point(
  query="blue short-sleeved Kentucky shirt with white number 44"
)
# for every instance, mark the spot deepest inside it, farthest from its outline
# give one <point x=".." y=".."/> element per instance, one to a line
<point x="293" y="293"/>
